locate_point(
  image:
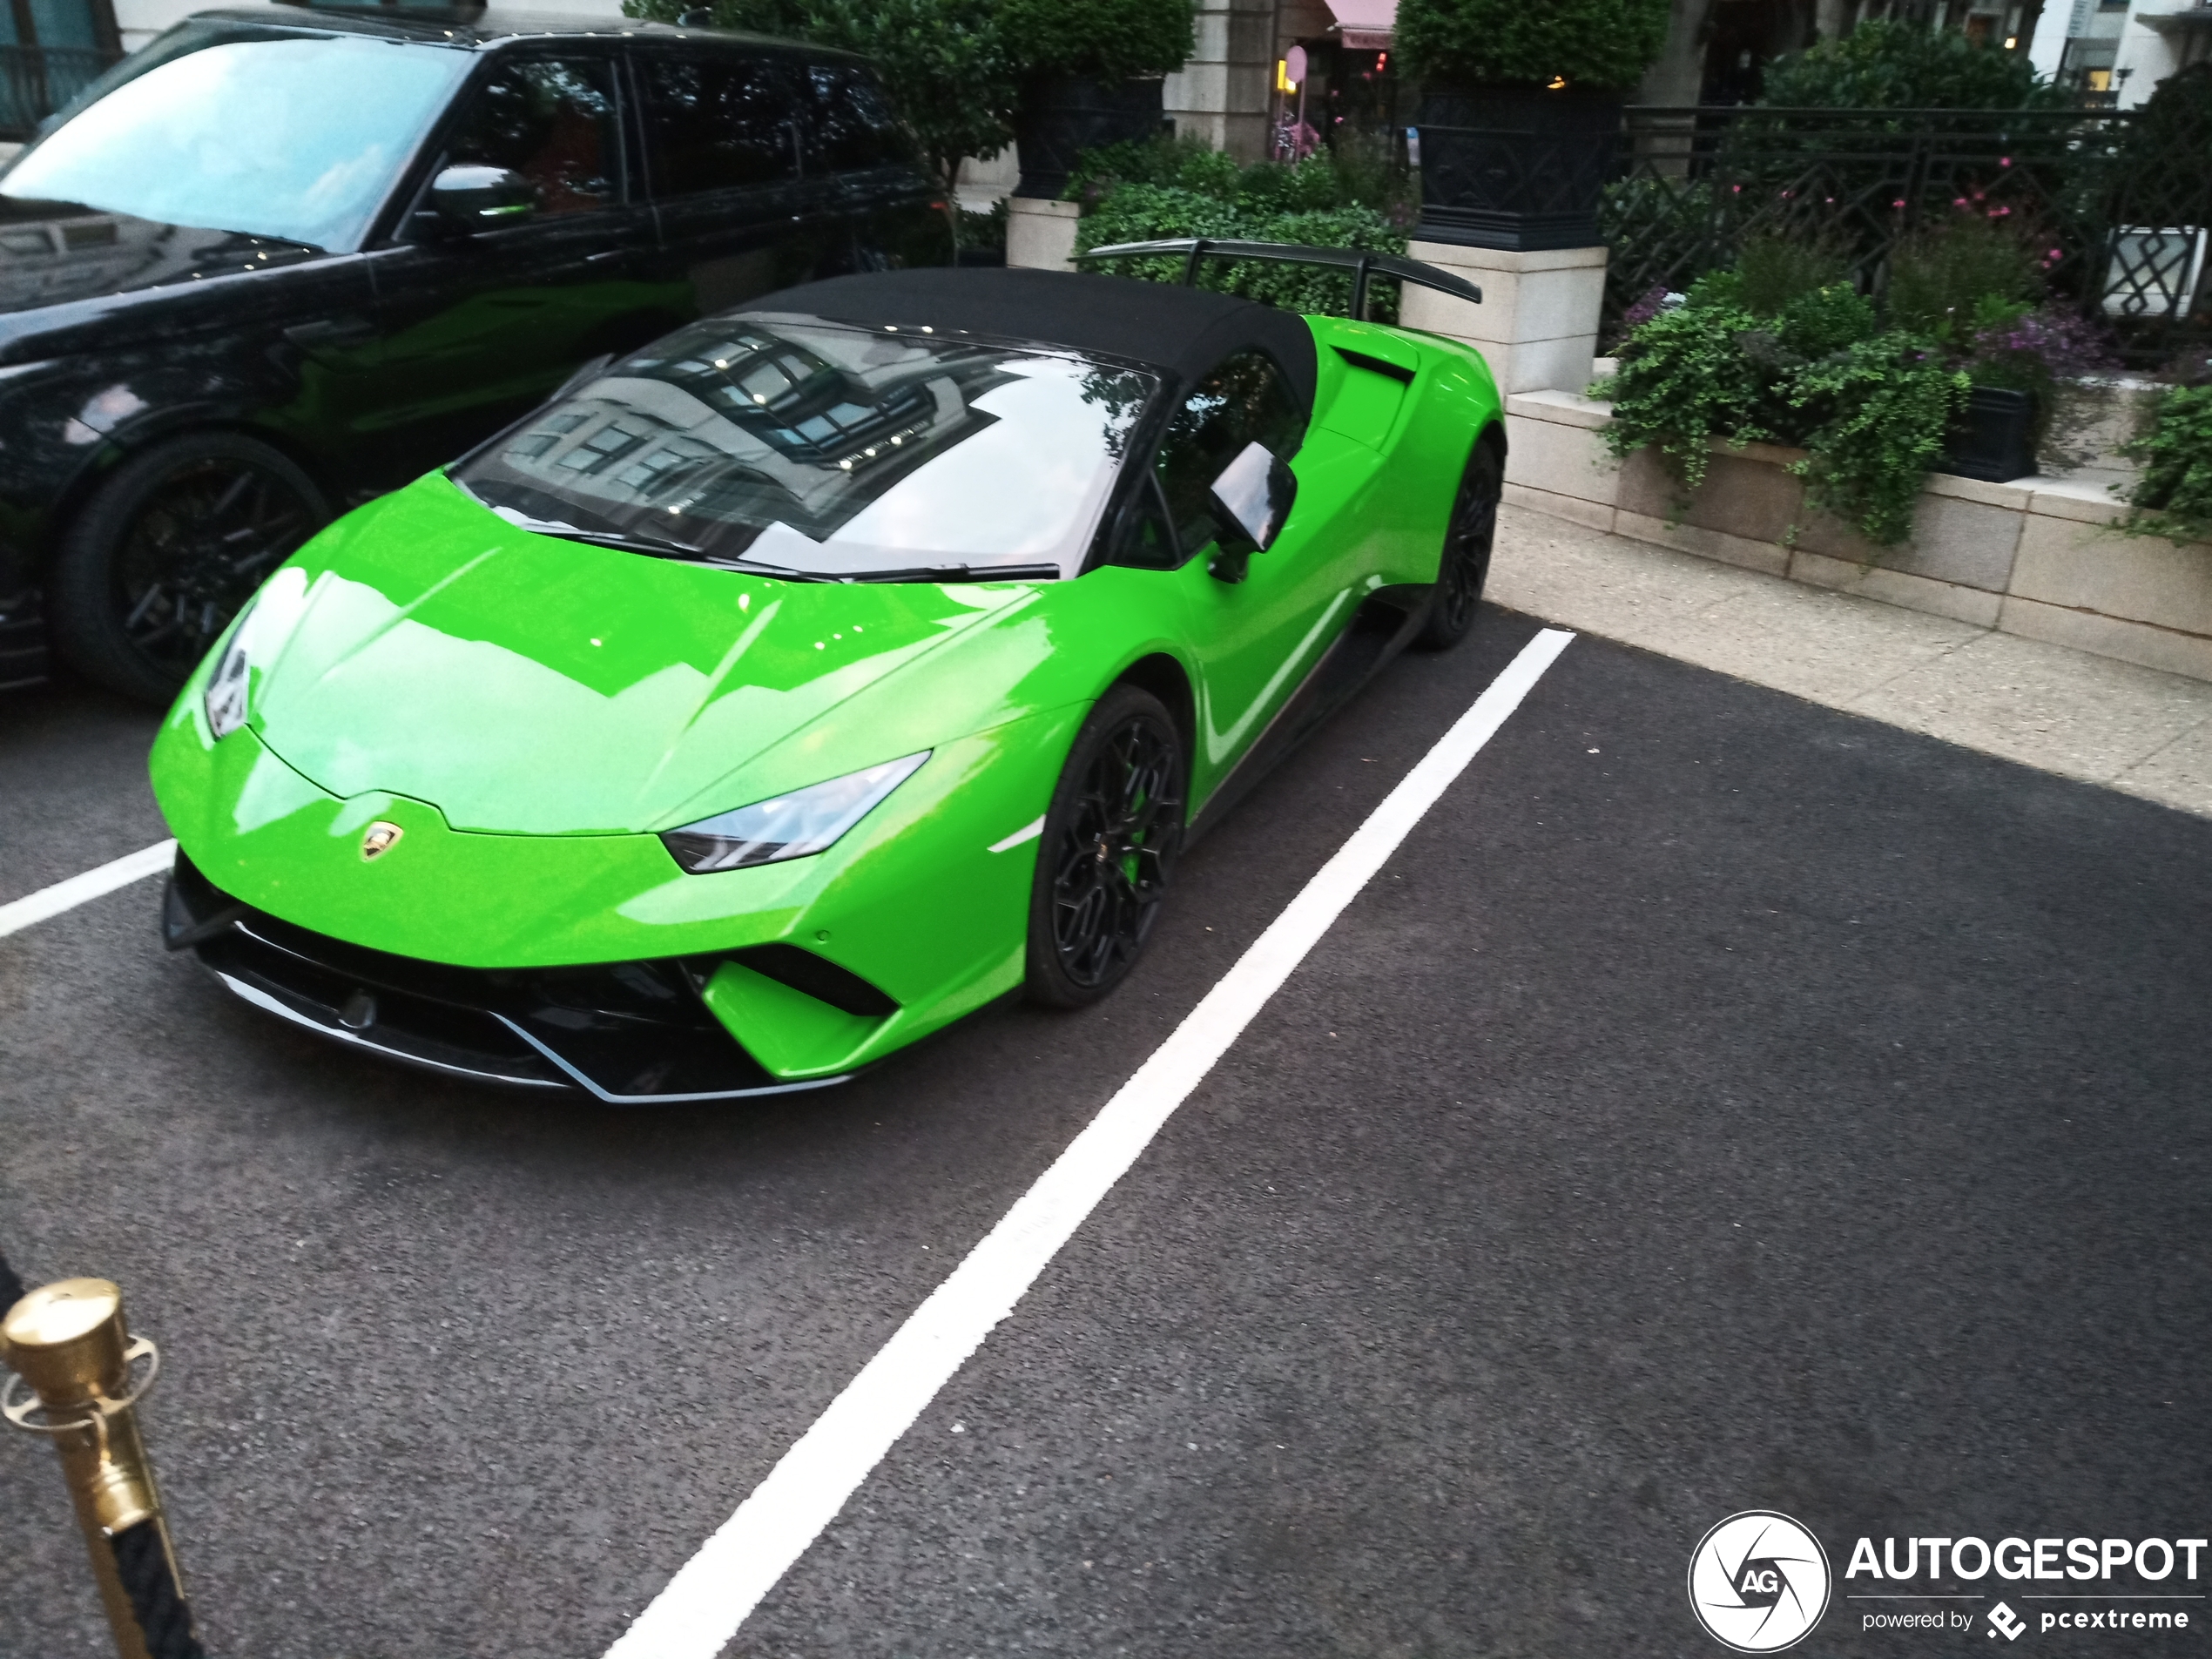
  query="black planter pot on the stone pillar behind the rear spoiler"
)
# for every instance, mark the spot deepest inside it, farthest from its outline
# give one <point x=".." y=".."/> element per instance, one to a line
<point x="1514" y="167"/>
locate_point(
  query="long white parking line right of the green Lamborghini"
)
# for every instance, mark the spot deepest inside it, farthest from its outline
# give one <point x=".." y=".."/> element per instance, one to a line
<point x="705" y="1605"/>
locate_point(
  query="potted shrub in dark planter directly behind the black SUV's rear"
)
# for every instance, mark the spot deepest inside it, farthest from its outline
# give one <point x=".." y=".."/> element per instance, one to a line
<point x="1089" y="76"/>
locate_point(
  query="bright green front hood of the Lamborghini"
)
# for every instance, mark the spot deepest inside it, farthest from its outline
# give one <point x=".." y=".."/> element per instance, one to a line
<point x="528" y="685"/>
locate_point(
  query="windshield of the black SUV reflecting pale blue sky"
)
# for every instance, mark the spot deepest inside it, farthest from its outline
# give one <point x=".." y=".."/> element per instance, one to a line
<point x="278" y="138"/>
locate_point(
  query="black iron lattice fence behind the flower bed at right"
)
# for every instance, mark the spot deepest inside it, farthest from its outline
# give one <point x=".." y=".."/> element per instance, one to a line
<point x="2120" y="211"/>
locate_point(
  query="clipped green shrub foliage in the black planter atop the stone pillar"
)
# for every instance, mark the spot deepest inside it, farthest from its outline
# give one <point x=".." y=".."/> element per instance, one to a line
<point x="1600" y="45"/>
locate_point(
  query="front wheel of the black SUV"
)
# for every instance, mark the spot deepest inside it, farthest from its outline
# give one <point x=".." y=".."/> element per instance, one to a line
<point x="167" y="552"/>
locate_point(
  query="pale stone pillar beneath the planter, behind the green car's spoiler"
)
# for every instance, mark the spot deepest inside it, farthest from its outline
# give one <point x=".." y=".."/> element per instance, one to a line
<point x="1538" y="317"/>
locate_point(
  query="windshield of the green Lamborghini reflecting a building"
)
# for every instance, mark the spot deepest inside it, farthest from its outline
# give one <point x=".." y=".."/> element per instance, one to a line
<point x="828" y="450"/>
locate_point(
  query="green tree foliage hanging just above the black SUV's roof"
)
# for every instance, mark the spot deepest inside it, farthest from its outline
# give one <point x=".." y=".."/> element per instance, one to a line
<point x="941" y="61"/>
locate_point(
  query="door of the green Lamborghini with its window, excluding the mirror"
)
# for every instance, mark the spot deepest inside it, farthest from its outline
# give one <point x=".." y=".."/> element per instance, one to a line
<point x="1262" y="625"/>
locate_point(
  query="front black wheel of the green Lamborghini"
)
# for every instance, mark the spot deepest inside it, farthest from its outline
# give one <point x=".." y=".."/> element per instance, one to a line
<point x="1109" y="851"/>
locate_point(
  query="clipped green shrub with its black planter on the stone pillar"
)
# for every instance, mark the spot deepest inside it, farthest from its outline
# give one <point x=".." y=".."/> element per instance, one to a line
<point x="1521" y="112"/>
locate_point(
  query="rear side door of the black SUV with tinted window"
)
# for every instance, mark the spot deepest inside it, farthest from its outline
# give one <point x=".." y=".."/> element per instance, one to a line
<point x="738" y="213"/>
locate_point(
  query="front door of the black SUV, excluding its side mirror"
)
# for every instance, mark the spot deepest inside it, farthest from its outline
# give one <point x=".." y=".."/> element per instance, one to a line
<point x="474" y="328"/>
